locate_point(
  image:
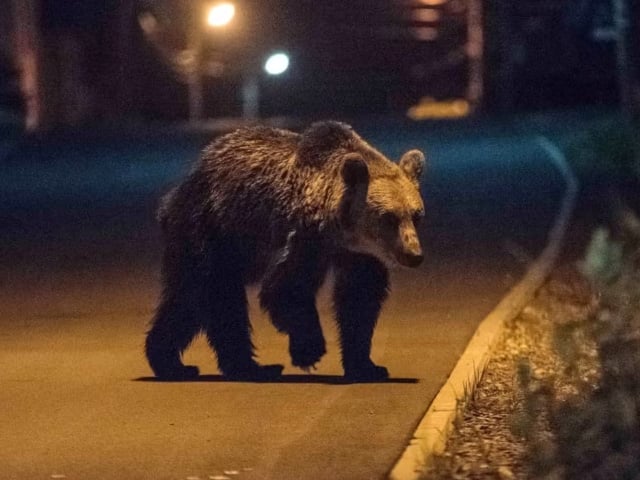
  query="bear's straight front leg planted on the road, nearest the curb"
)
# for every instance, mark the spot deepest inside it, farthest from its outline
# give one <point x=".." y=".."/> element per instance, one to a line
<point x="361" y="287"/>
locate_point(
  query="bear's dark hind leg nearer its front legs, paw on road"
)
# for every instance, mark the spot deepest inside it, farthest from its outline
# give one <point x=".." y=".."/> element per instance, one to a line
<point x="226" y="320"/>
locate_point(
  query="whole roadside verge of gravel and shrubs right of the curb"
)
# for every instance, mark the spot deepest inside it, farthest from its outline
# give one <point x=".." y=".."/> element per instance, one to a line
<point x="560" y="397"/>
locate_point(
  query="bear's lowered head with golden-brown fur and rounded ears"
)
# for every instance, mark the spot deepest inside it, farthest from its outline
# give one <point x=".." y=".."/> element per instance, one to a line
<point x="381" y="206"/>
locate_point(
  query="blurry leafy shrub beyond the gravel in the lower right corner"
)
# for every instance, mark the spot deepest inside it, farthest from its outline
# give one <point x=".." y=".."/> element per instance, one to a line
<point x="594" y="433"/>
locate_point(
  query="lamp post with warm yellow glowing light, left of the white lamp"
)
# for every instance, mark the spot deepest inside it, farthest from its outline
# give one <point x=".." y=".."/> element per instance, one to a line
<point x="216" y="16"/>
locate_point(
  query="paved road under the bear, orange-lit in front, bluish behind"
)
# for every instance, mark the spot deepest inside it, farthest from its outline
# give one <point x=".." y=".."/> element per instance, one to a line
<point x="79" y="260"/>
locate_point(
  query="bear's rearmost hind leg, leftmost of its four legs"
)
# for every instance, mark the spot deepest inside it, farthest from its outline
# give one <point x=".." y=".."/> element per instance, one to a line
<point x="172" y="330"/>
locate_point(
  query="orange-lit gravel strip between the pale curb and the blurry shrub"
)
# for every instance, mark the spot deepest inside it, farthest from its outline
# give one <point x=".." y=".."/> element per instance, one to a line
<point x="494" y="432"/>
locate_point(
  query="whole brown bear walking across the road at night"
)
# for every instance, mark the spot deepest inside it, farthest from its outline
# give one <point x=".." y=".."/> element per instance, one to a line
<point x="280" y="208"/>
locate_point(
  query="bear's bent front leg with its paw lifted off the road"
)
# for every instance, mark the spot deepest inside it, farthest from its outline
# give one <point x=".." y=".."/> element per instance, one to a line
<point x="288" y="294"/>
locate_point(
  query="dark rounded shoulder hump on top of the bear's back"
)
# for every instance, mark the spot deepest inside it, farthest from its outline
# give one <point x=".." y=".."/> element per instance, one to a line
<point x="320" y="140"/>
